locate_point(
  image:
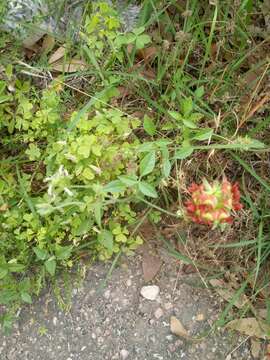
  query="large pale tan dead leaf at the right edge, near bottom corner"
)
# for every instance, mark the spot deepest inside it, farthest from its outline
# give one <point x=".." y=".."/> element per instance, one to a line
<point x="249" y="327"/>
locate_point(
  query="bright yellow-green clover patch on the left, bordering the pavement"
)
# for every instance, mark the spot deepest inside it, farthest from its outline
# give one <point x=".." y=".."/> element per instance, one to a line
<point x="65" y="191"/>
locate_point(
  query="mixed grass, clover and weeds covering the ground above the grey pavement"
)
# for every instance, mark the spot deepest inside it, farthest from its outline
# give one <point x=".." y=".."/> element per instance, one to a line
<point x="106" y="131"/>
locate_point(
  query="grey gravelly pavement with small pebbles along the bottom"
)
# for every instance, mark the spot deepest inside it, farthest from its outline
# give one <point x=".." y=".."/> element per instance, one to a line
<point x="116" y="322"/>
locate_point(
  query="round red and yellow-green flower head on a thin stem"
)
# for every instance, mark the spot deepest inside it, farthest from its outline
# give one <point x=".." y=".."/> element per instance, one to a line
<point x="213" y="204"/>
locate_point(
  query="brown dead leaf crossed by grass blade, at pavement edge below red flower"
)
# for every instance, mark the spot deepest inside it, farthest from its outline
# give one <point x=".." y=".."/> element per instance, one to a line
<point x="226" y="292"/>
